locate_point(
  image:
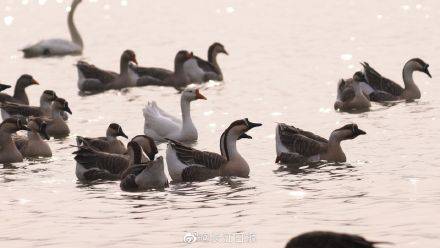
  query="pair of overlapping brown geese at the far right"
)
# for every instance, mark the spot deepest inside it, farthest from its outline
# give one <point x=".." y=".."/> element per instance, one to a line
<point x="368" y="86"/>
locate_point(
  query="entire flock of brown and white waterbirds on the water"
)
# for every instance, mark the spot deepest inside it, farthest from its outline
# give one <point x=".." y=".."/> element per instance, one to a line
<point x="137" y="165"/>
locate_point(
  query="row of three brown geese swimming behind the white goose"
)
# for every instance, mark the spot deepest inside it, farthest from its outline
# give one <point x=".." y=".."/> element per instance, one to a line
<point x="187" y="69"/>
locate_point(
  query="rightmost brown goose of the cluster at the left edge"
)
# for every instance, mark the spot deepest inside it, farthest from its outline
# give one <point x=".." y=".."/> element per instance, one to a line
<point x="56" y="125"/>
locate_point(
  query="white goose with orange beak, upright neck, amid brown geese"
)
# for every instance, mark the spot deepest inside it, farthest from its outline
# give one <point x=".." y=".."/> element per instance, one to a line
<point x="160" y="126"/>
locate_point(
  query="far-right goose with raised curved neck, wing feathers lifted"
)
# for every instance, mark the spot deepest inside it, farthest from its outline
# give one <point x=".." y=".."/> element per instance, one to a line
<point x="382" y="89"/>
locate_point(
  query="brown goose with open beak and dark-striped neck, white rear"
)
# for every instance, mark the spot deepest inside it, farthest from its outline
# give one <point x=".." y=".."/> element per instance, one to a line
<point x="188" y="164"/>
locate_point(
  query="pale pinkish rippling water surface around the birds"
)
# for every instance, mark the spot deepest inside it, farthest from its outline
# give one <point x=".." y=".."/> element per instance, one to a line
<point x="285" y="59"/>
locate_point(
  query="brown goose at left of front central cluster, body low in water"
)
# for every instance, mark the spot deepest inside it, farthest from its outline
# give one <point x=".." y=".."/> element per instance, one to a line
<point x="92" y="164"/>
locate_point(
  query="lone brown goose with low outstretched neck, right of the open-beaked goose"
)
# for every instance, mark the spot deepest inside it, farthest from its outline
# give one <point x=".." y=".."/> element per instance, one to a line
<point x="294" y="144"/>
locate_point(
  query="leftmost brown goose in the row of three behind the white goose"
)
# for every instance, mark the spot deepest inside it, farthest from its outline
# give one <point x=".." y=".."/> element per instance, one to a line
<point x="94" y="79"/>
